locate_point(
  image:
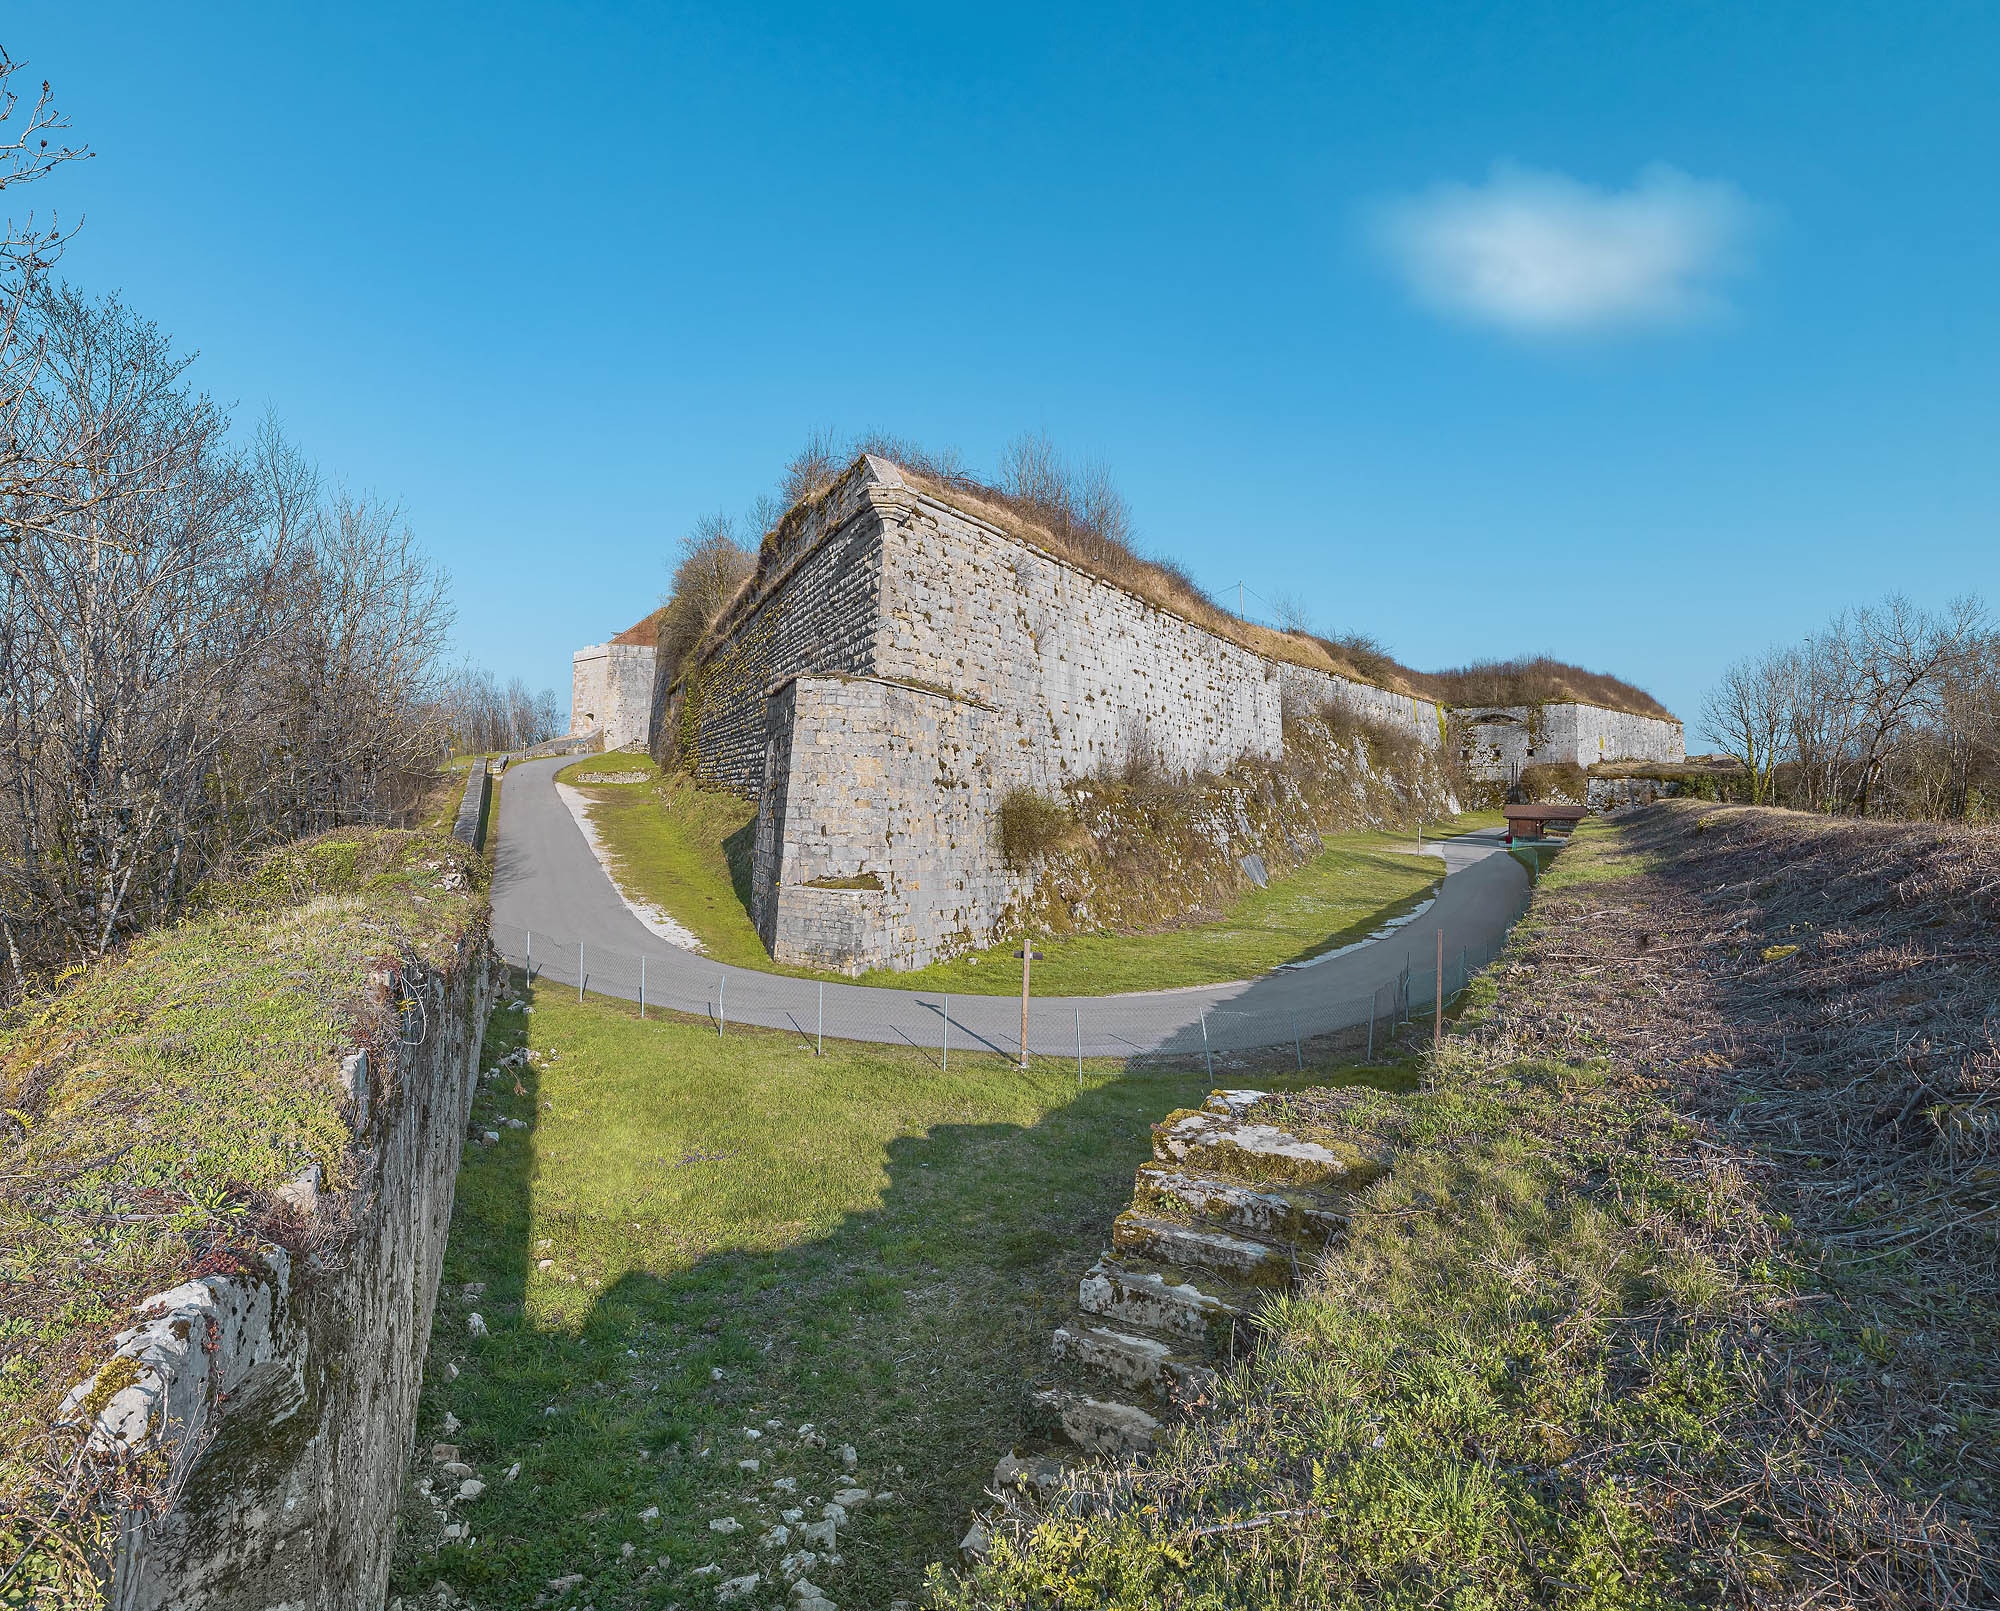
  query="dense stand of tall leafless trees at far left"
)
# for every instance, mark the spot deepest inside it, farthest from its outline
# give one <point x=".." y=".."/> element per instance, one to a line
<point x="201" y="651"/>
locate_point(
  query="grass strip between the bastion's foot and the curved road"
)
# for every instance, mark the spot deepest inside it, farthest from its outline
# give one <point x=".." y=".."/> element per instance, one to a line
<point x="689" y="852"/>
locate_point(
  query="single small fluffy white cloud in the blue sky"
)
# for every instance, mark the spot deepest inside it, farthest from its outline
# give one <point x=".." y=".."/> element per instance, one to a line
<point x="1543" y="253"/>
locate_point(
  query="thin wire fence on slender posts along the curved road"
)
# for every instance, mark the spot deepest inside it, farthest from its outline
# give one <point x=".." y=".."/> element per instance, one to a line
<point x="1271" y="1024"/>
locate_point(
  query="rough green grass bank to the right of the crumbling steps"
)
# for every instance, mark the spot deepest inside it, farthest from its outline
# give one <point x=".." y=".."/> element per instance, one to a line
<point x="1571" y="1356"/>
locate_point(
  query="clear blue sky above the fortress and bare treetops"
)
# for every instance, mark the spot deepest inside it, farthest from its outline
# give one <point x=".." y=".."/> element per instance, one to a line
<point x="1639" y="335"/>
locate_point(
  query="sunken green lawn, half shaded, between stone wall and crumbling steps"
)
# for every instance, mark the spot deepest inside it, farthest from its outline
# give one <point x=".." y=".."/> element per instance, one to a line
<point x="747" y="1238"/>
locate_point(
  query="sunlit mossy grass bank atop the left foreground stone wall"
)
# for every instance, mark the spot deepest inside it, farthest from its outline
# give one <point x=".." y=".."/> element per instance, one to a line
<point x="159" y="1100"/>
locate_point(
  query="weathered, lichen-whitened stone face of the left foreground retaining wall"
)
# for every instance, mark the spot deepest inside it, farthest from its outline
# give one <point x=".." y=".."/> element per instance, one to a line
<point x="285" y="1396"/>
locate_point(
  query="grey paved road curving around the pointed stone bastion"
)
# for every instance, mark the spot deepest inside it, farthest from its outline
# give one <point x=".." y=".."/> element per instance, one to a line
<point x="551" y="898"/>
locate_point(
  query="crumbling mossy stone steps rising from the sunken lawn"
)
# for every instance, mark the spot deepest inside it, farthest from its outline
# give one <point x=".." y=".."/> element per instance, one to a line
<point x="1229" y="1212"/>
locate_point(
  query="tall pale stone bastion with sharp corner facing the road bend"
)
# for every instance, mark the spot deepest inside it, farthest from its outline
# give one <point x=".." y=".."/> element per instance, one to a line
<point x="903" y="665"/>
